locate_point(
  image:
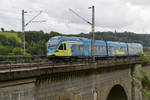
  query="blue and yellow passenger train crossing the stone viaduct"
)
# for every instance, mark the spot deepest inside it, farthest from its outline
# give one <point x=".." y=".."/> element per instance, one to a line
<point x="61" y="46"/>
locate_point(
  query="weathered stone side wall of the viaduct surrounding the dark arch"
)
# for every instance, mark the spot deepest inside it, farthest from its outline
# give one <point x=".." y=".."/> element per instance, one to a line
<point x="80" y="85"/>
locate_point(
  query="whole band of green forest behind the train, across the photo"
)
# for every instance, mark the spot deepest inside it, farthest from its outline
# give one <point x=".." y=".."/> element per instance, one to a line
<point x="11" y="41"/>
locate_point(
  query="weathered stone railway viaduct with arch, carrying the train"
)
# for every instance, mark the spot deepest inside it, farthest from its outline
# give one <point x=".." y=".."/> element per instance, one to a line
<point x="106" y="79"/>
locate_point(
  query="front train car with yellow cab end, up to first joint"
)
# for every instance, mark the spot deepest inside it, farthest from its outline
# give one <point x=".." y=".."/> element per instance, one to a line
<point x="74" y="46"/>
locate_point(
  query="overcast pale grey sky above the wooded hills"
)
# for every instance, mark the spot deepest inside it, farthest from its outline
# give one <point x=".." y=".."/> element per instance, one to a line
<point x="110" y="15"/>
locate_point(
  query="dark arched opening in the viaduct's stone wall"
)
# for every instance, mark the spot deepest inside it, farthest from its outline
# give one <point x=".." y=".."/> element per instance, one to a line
<point x="117" y="92"/>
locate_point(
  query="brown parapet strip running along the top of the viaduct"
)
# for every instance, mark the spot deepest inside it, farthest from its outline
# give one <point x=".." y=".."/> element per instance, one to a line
<point x="26" y="70"/>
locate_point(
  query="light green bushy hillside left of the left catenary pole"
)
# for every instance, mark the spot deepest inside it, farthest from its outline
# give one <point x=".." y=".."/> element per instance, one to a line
<point x="10" y="43"/>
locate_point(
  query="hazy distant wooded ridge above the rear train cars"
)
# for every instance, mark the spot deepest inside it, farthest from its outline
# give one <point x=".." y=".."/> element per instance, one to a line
<point x="144" y="39"/>
